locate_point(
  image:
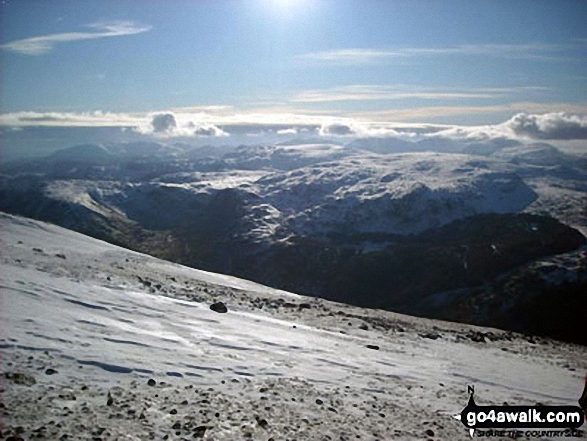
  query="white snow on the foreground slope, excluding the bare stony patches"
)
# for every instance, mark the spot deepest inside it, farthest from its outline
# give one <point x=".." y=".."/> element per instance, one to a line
<point x="101" y="326"/>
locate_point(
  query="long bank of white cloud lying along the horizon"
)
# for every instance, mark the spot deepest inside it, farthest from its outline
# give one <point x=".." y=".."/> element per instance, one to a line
<point x="530" y="121"/>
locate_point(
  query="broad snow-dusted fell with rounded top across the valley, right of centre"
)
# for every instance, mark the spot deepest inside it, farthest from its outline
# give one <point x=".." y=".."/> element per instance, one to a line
<point x="394" y="194"/>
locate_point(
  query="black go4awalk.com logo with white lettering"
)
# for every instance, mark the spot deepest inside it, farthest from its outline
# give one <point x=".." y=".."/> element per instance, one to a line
<point x="524" y="421"/>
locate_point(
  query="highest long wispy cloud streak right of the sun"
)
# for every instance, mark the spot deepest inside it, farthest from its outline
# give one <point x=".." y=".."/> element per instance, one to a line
<point x="358" y="56"/>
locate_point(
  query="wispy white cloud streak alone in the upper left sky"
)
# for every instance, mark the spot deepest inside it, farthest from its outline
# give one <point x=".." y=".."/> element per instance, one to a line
<point x="42" y="44"/>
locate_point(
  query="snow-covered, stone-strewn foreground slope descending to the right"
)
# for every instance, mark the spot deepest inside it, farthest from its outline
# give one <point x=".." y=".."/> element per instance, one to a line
<point x="86" y="326"/>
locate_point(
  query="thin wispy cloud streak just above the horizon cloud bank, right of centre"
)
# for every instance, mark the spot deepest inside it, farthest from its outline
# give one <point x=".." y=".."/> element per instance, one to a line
<point x="383" y="92"/>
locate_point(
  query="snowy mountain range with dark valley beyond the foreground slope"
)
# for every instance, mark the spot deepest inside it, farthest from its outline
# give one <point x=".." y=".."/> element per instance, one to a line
<point x="387" y="230"/>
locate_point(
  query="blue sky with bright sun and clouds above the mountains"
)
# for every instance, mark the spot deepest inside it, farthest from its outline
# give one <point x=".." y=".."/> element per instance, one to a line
<point x="212" y="63"/>
